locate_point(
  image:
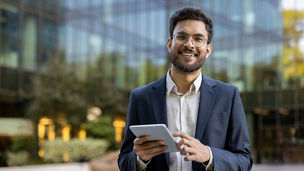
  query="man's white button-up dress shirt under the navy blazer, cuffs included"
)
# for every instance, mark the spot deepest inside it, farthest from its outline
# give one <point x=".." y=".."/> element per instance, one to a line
<point x="182" y="110"/>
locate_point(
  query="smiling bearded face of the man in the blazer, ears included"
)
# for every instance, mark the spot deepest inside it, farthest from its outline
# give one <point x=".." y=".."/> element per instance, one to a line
<point x="186" y="56"/>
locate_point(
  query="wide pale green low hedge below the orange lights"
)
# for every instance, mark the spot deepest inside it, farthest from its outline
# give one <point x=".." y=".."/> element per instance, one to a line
<point x="77" y="149"/>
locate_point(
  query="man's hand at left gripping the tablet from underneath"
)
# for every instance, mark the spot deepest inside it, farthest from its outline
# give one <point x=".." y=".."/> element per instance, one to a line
<point x="146" y="150"/>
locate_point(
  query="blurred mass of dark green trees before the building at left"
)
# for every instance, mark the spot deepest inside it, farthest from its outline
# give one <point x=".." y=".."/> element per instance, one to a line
<point x="60" y="94"/>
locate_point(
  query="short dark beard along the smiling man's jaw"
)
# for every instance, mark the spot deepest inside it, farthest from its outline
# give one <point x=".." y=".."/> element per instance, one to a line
<point x="185" y="67"/>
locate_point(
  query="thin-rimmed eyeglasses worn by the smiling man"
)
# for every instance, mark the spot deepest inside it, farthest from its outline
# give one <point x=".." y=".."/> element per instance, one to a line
<point x="197" y="40"/>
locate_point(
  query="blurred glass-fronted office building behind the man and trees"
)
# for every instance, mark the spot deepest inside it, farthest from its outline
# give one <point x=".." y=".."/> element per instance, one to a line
<point x="258" y="46"/>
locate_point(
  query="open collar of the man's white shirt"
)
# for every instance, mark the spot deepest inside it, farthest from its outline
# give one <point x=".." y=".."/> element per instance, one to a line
<point x="196" y="85"/>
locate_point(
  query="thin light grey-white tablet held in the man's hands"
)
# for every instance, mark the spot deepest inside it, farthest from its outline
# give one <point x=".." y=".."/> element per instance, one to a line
<point x="156" y="132"/>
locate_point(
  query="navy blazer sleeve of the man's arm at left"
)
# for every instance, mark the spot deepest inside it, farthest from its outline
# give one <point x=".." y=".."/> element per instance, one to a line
<point x="127" y="157"/>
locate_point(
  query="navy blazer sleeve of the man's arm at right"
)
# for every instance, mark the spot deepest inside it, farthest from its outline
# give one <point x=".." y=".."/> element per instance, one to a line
<point x="236" y="154"/>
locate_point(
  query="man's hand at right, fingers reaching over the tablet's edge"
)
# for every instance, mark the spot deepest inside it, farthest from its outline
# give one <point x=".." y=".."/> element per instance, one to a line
<point x="197" y="151"/>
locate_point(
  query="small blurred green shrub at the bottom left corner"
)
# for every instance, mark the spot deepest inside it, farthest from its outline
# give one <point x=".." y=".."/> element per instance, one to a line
<point x="17" y="158"/>
